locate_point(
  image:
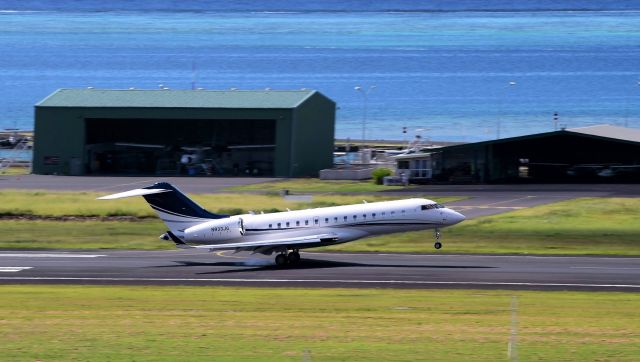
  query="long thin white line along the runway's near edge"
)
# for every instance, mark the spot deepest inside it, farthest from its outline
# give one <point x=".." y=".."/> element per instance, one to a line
<point x="336" y="281"/>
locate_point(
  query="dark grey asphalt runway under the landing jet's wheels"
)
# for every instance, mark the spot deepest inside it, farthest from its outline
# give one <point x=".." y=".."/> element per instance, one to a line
<point x="321" y="270"/>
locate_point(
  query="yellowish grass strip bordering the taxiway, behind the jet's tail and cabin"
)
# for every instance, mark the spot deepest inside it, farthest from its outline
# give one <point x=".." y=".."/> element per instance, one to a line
<point x="47" y="203"/>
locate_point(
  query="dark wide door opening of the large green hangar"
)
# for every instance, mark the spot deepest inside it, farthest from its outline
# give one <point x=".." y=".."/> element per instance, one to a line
<point x="180" y="147"/>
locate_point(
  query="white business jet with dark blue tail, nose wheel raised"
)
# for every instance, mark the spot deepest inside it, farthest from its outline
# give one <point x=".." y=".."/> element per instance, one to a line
<point x="286" y="233"/>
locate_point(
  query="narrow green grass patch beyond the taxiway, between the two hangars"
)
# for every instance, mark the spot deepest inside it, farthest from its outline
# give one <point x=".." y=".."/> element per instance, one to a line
<point x="315" y="185"/>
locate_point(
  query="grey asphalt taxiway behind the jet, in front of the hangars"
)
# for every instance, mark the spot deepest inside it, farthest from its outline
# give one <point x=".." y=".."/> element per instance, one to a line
<point x="481" y="200"/>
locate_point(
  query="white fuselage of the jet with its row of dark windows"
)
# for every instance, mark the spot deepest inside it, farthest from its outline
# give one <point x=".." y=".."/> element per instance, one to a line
<point x="347" y="223"/>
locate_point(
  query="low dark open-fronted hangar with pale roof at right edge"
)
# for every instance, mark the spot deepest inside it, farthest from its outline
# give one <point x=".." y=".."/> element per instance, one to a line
<point x="601" y="153"/>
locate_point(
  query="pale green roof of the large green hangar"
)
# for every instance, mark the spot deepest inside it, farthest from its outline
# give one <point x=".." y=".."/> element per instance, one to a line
<point x="134" y="98"/>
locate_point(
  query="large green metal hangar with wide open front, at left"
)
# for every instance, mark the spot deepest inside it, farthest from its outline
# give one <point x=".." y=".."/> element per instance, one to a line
<point x="184" y="132"/>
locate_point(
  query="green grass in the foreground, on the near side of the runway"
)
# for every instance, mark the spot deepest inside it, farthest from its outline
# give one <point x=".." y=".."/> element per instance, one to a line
<point x="107" y="323"/>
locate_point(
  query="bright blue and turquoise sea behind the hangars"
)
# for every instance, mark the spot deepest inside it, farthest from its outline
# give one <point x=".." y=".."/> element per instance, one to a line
<point x="456" y="70"/>
